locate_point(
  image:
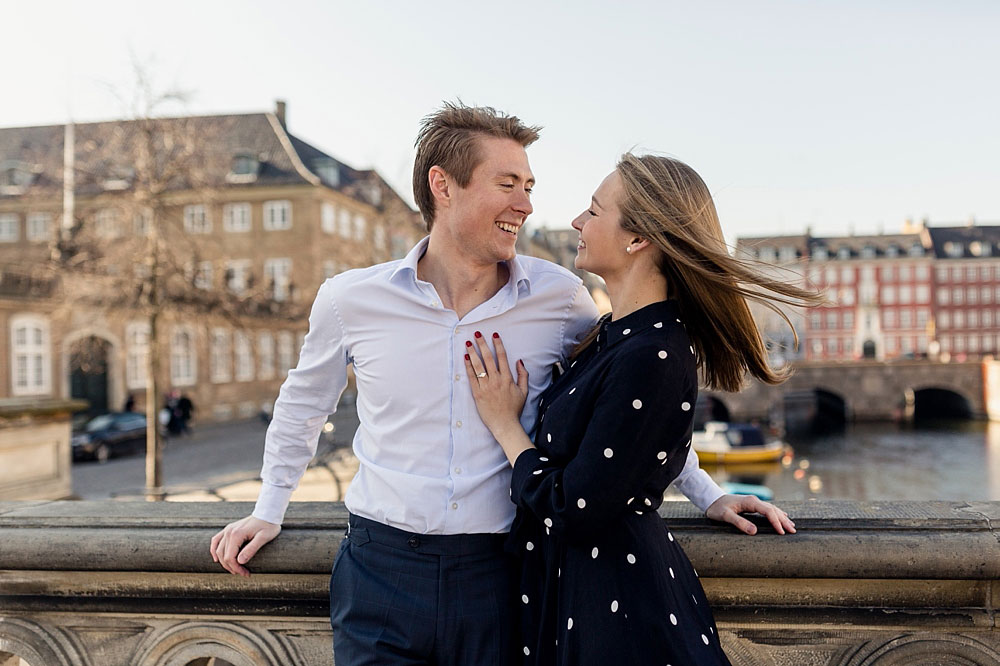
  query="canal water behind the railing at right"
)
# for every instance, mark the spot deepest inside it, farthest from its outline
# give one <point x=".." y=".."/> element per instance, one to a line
<point x="956" y="460"/>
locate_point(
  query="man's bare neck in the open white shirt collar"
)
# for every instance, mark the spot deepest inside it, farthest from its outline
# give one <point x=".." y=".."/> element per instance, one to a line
<point x="462" y="283"/>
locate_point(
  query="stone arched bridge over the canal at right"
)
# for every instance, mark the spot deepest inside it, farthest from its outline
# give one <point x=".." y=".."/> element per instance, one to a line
<point x="874" y="390"/>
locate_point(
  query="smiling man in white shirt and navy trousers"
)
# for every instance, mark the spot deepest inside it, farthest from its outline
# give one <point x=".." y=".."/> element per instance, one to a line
<point x="421" y="577"/>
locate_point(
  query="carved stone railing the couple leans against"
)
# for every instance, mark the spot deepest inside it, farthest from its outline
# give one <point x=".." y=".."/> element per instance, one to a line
<point x="132" y="583"/>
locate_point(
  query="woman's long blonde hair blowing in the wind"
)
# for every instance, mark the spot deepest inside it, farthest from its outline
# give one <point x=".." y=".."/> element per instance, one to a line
<point x="667" y="202"/>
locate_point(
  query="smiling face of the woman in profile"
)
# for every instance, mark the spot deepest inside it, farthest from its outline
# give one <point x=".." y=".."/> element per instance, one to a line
<point x="601" y="249"/>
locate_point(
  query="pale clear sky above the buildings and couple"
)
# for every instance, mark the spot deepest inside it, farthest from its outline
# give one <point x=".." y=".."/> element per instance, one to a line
<point x="839" y="116"/>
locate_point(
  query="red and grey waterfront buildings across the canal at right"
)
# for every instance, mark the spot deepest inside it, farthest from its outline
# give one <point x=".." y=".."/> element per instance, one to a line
<point x="917" y="294"/>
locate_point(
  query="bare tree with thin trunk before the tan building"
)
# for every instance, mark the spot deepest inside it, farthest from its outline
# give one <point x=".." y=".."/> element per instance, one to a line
<point x="129" y="250"/>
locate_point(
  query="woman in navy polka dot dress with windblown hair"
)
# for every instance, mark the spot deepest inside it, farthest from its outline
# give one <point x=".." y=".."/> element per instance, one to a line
<point x="603" y="580"/>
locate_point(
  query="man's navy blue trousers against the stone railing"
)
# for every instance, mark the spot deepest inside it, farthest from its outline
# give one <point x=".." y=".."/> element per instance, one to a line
<point x="403" y="598"/>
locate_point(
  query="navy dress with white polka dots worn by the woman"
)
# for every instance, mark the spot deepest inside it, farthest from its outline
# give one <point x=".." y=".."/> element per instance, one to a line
<point x="602" y="579"/>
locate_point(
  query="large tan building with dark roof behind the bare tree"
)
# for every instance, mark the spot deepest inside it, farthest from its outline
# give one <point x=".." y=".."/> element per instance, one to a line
<point x="258" y="216"/>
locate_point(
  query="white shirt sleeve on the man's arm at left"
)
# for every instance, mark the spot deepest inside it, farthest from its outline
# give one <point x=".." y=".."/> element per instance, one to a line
<point x="307" y="397"/>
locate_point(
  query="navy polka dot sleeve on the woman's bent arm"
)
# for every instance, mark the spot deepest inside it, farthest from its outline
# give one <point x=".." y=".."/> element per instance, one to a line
<point x="640" y="420"/>
